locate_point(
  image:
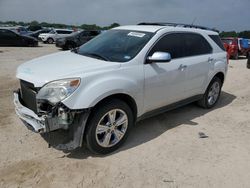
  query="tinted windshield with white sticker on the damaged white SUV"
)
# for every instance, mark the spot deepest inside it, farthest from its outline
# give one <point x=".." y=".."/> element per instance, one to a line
<point x="115" y="45"/>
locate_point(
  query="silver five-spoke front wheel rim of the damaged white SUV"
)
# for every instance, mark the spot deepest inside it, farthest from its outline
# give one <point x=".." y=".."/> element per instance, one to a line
<point x="111" y="128"/>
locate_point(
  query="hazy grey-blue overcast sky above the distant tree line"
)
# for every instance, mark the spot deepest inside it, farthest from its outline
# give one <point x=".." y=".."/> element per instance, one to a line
<point x="225" y="15"/>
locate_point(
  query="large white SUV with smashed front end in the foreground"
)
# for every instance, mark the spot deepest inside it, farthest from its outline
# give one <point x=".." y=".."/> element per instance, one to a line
<point x="96" y="93"/>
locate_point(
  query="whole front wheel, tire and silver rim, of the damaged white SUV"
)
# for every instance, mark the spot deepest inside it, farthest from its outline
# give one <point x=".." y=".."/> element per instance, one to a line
<point x="109" y="126"/>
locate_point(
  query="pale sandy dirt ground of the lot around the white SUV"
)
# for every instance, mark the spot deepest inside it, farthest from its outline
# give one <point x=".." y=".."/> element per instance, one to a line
<point x="163" y="151"/>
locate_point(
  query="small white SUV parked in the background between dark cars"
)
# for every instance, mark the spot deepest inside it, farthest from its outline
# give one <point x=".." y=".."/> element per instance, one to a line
<point x="54" y="34"/>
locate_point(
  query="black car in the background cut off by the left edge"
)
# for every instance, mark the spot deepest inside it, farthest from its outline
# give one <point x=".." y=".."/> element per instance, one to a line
<point x="11" y="38"/>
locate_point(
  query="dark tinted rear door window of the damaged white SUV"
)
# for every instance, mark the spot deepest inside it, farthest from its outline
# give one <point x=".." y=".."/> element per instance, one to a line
<point x="196" y="44"/>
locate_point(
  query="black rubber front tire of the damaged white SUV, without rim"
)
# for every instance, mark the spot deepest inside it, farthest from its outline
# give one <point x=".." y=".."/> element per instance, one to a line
<point x="98" y="114"/>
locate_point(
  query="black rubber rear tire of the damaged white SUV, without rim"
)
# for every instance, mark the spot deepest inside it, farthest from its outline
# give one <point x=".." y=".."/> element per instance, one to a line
<point x="204" y="102"/>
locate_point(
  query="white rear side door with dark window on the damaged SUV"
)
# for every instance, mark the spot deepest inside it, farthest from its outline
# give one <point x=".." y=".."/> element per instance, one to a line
<point x="198" y="53"/>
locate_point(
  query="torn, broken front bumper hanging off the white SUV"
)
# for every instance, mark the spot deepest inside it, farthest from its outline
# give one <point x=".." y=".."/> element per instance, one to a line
<point x="58" y="136"/>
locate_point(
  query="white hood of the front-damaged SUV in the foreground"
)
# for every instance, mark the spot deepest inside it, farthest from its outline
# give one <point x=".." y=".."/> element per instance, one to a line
<point x="60" y="65"/>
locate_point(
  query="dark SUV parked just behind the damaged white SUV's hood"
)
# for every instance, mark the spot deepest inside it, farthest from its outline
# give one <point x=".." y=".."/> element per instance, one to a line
<point x="76" y="39"/>
